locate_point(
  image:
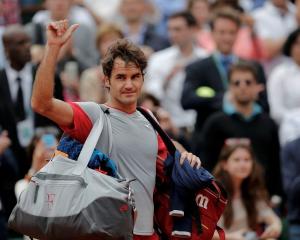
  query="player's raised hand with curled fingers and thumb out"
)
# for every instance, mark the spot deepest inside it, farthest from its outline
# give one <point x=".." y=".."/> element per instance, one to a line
<point x="59" y="32"/>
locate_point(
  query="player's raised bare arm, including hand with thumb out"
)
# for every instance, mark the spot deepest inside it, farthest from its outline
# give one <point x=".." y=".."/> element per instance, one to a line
<point x="42" y="101"/>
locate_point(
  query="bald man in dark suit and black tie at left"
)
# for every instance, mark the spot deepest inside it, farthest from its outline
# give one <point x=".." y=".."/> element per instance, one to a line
<point x="16" y="80"/>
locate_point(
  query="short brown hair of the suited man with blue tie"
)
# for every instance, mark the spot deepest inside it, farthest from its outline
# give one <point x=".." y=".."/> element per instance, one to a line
<point x="225" y="13"/>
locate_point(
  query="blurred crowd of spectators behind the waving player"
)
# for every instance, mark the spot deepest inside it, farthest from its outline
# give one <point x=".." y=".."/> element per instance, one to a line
<point x="218" y="71"/>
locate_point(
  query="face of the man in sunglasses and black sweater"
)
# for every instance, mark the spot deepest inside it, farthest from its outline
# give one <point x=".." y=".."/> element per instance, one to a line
<point x="243" y="87"/>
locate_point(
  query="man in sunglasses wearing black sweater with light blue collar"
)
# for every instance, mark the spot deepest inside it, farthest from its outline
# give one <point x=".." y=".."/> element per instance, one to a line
<point x="242" y="117"/>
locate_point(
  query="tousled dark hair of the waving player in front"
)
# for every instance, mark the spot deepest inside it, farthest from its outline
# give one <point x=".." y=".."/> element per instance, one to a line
<point x="125" y="50"/>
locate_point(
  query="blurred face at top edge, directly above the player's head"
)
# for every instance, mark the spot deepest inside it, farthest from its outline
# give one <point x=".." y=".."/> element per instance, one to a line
<point x="133" y="10"/>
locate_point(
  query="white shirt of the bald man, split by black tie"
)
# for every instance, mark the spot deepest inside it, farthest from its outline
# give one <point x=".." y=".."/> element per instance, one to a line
<point x="26" y="82"/>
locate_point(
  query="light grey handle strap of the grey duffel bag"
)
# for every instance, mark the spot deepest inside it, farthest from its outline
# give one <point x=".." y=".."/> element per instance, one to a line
<point x="89" y="146"/>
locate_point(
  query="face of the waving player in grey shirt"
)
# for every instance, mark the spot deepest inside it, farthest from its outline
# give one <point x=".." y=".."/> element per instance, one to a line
<point x="125" y="83"/>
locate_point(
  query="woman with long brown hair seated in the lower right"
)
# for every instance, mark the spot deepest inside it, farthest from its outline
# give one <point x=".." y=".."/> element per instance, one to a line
<point x="248" y="214"/>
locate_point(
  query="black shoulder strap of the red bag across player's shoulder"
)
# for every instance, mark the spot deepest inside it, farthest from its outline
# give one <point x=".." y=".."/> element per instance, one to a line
<point x="169" y="144"/>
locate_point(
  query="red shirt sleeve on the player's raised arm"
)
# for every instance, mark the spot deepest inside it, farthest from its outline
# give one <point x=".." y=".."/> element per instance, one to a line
<point x="82" y="124"/>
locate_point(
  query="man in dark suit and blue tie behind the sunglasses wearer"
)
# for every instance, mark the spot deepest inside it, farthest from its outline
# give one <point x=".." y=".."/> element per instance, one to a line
<point x="206" y="79"/>
